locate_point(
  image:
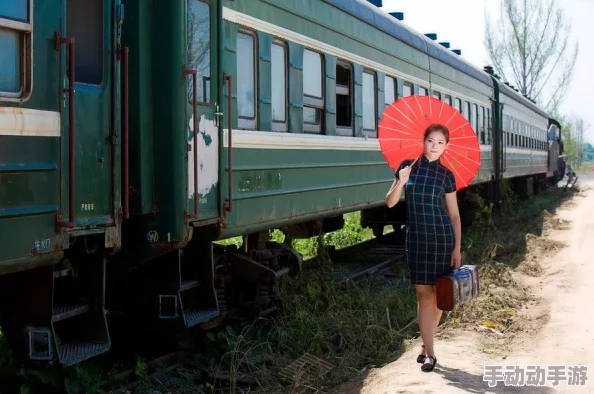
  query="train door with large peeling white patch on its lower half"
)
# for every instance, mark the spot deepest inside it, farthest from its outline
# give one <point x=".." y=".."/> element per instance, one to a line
<point x="203" y="107"/>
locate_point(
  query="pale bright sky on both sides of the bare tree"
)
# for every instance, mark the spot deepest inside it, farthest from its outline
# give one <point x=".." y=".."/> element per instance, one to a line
<point x="462" y="24"/>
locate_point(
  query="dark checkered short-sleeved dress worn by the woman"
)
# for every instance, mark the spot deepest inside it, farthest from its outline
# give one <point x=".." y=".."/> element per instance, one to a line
<point x="429" y="232"/>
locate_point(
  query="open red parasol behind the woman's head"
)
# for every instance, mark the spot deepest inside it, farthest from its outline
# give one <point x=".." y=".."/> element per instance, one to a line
<point x="403" y="124"/>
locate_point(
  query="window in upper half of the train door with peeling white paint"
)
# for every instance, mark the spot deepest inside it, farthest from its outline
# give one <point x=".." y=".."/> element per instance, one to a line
<point x="204" y="94"/>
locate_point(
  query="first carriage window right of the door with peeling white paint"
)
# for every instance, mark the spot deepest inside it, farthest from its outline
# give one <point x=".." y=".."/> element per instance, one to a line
<point x="246" y="80"/>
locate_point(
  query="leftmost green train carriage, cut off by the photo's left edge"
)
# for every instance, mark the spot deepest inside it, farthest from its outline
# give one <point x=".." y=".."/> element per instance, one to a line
<point x="59" y="173"/>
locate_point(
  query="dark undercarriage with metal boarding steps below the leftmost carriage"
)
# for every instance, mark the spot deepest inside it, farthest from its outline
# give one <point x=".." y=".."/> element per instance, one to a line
<point x="60" y="317"/>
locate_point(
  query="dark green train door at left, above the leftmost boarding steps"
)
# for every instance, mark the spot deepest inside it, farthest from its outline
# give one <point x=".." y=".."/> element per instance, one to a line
<point x="87" y="45"/>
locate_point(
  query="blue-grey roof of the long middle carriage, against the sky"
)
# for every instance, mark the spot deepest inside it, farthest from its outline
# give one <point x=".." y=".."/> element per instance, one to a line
<point x="367" y="12"/>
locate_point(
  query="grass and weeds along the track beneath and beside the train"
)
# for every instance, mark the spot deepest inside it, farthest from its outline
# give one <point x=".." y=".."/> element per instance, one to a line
<point x="350" y="309"/>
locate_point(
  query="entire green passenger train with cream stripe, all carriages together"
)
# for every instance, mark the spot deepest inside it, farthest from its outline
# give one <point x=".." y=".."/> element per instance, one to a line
<point x="134" y="134"/>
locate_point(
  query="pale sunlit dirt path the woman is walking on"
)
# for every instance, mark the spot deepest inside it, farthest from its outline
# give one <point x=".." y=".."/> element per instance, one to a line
<point x="558" y="325"/>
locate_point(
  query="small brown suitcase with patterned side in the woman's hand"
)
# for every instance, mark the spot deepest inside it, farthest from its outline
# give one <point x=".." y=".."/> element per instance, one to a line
<point x="457" y="288"/>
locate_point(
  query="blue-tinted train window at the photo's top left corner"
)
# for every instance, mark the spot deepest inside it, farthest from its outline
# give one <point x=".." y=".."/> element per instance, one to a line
<point x="15" y="41"/>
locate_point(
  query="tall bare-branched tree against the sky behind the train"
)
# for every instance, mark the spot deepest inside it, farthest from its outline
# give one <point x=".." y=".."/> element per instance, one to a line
<point x="530" y="49"/>
